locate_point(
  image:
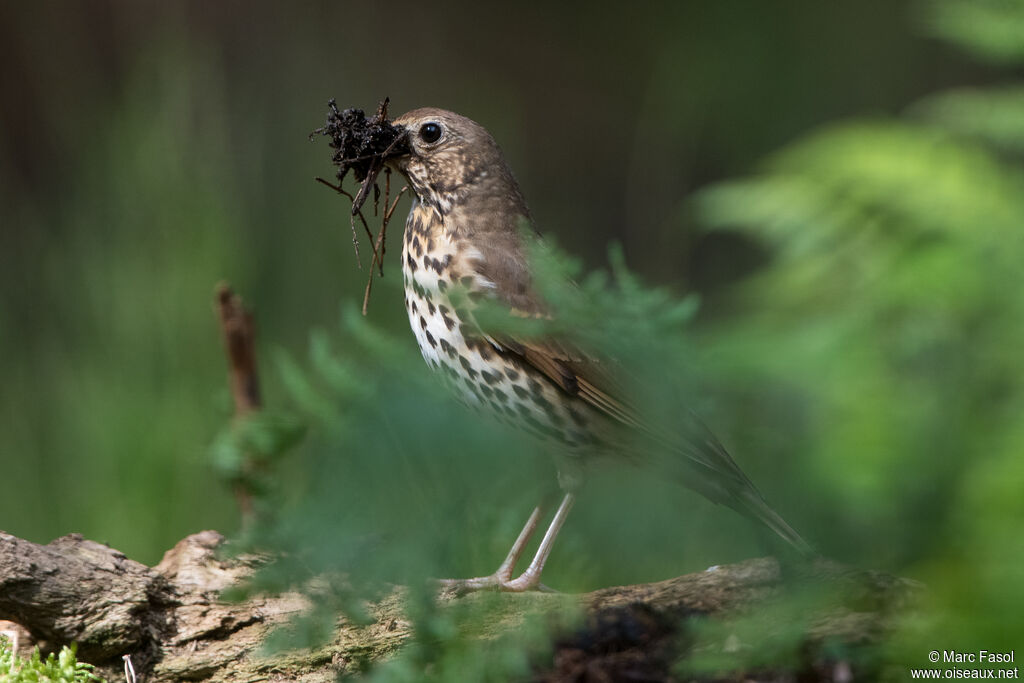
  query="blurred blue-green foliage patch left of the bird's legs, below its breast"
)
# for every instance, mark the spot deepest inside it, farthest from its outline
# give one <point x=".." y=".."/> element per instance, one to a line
<point x="396" y="486"/>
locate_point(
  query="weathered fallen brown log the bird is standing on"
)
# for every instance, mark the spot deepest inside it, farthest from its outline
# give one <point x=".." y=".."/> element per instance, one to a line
<point x="169" y="619"/>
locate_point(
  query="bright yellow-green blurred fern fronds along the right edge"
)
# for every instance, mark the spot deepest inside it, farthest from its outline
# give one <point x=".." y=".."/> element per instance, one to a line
<point x="892" y="317"/>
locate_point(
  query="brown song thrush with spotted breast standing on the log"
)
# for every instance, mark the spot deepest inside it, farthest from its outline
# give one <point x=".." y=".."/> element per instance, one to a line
<point x="465" y="232"/>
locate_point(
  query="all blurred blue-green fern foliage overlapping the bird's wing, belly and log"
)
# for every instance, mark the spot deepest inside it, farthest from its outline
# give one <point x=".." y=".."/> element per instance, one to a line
<point x="402" y="485"/>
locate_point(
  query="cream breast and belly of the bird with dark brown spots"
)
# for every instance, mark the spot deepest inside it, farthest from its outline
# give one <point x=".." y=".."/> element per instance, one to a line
<point x="435" y="267"/>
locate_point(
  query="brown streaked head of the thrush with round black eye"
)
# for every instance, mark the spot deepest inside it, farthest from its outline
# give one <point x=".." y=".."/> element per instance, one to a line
<point x="450" y="158"/>
